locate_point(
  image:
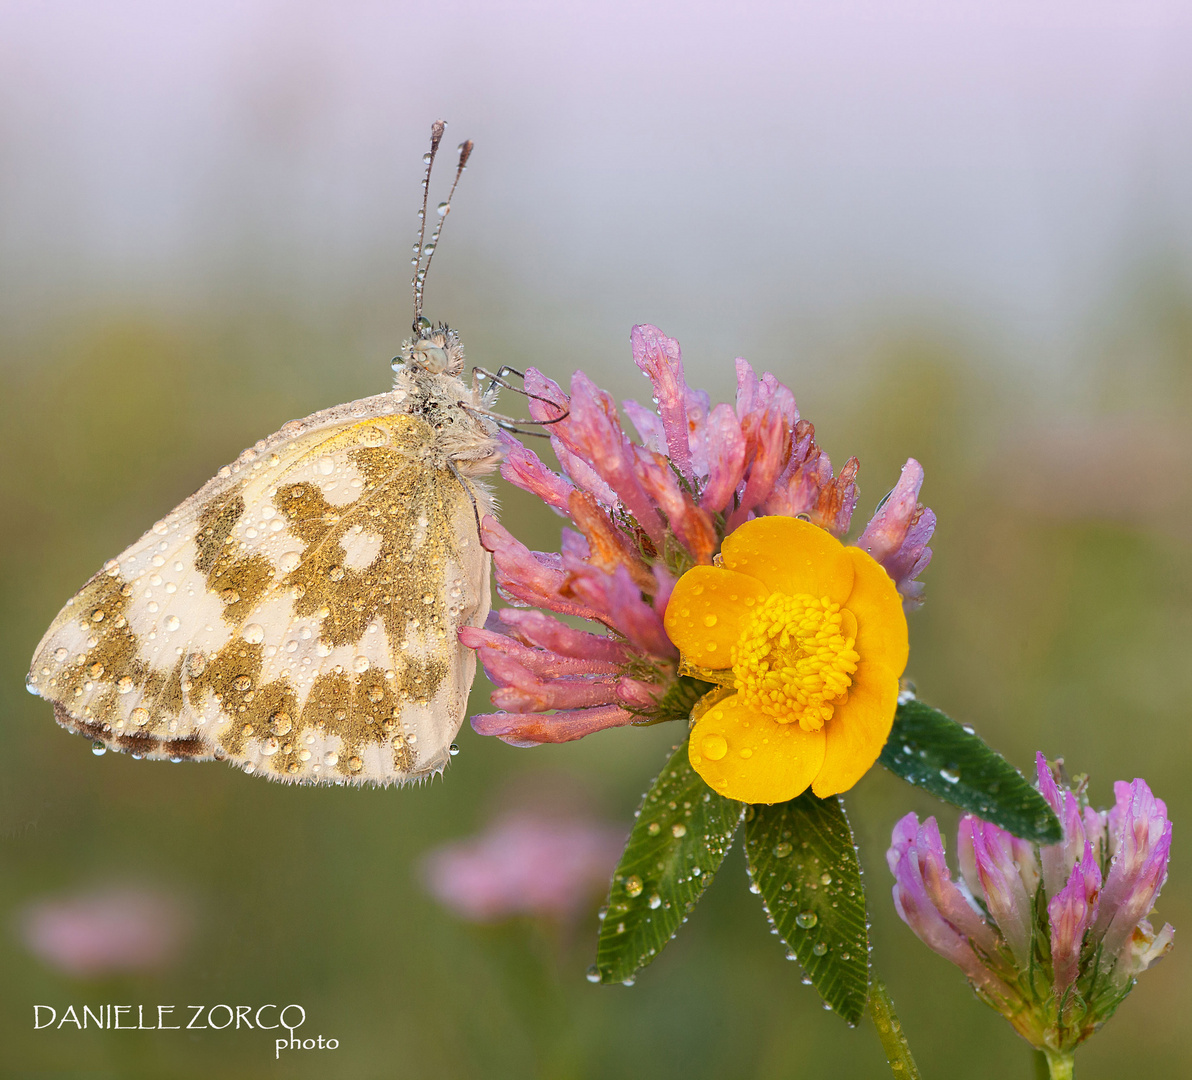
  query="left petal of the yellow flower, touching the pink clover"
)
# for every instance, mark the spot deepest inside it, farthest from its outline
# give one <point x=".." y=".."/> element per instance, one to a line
<point x="707" y="613"/>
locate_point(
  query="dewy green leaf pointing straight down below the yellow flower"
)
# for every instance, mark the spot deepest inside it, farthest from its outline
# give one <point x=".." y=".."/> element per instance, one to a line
<point x="804" y="862"/>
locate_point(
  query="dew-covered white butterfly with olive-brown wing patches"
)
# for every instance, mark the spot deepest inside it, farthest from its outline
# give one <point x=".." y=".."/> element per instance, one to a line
<point x="297" y="617"/>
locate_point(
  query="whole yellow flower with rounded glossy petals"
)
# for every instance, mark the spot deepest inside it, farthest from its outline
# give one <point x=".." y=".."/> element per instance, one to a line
<point x="812" y="637"/>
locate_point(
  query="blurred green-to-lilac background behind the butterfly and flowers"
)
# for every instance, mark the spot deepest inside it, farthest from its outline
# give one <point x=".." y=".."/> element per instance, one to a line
<point x="958" y="231"/>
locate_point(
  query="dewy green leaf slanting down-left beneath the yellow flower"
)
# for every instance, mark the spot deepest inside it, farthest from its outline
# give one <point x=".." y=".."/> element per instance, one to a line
<point x="679" y="842"/>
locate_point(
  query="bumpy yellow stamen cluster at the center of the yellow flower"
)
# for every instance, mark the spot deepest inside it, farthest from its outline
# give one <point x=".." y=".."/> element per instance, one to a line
<point x="796" y="659"/>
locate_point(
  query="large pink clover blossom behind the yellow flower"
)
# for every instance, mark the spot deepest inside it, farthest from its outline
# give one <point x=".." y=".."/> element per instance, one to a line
<point x="643" y="513"/>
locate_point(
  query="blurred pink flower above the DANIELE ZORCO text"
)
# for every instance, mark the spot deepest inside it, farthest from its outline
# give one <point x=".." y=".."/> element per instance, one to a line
<point x="107" y="932"/>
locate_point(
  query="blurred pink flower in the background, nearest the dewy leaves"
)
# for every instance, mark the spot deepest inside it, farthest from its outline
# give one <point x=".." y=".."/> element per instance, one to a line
<point x="526" y="864"/>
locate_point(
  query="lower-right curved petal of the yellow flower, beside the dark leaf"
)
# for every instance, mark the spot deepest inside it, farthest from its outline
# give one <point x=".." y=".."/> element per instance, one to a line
<point x="855" y="736"/>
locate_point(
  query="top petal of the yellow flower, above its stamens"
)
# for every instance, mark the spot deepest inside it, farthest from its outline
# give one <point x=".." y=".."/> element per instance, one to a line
<point x="791" y="556"/>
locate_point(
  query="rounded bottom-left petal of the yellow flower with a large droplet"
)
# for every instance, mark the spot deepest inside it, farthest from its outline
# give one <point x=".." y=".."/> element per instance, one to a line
<point x="748" y="756"/>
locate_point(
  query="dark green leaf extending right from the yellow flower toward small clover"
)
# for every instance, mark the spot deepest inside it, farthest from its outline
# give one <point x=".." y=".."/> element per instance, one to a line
<point x="934" y="753"/>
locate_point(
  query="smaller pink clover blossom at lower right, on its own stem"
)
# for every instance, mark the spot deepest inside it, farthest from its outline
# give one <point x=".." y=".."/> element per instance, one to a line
<point x="1052" y="938"/>
